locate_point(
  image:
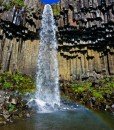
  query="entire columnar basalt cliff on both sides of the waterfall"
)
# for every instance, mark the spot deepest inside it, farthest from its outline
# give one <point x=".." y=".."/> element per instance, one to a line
<point x="85" y="38"/>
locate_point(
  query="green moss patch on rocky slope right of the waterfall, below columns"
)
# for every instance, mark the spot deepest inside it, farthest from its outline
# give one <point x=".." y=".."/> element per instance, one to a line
<point x="87" y="91"/>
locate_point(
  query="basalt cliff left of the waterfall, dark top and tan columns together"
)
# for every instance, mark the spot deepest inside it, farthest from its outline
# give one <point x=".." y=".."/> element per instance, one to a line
<point x="19" y="38"/>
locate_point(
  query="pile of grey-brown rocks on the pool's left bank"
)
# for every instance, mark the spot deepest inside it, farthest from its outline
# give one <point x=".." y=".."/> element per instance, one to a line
<point x="12" y="107"/>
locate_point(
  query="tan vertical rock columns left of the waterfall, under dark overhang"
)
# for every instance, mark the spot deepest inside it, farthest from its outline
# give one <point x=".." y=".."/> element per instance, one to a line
<point x="19" y="56"/>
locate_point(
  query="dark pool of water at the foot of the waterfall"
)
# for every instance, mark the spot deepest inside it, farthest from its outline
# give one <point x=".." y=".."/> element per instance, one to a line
<point x="65" y="120"/>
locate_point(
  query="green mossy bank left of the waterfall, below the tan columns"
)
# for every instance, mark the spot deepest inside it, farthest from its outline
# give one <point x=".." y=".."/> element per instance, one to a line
<point x="18" y="81"/>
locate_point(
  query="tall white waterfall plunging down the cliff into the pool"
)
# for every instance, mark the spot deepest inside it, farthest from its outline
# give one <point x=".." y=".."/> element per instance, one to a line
<point x="47" y="81"/>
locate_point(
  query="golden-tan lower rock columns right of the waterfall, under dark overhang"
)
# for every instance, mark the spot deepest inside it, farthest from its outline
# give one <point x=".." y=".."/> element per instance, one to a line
<point x="86" y="62"/>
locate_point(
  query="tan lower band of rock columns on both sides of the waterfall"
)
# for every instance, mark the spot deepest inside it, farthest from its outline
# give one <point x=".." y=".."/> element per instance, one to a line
<point x="22" y="56"/>
